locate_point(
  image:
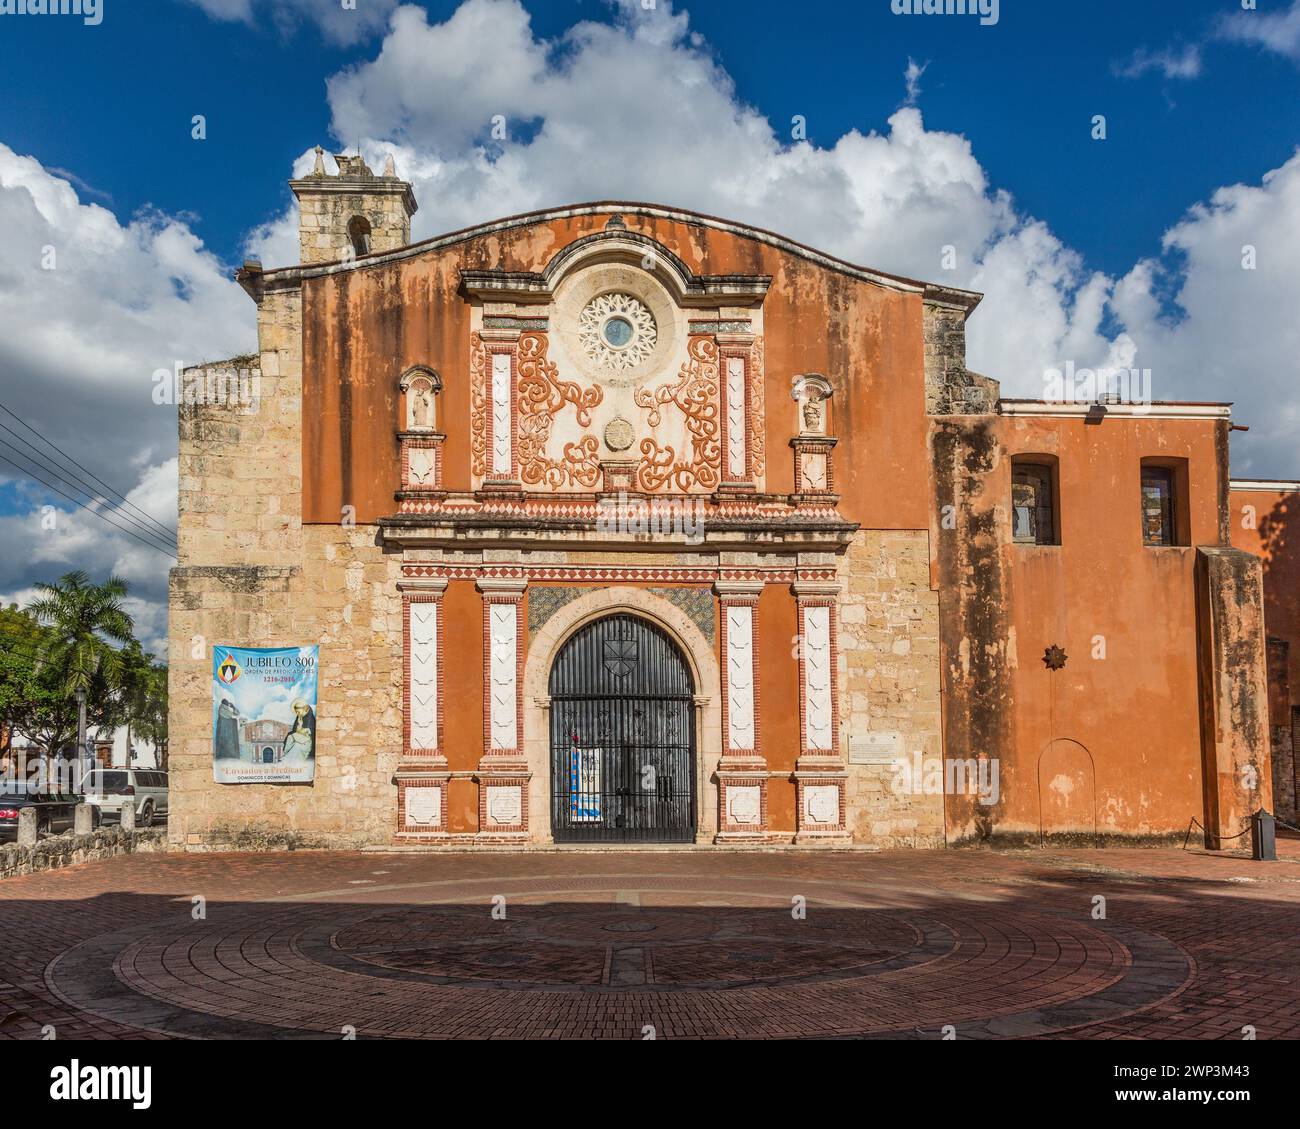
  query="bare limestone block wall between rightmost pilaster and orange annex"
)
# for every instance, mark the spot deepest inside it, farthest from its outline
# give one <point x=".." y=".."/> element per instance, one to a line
<point x="890" y="680"/>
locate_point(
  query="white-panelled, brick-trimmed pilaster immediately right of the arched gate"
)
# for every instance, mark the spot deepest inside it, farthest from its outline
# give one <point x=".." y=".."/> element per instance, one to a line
<point x="742" y="773"/>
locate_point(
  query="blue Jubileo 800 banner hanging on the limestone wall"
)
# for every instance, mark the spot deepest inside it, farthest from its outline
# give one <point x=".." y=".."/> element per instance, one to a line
<point x="265" y="715"/>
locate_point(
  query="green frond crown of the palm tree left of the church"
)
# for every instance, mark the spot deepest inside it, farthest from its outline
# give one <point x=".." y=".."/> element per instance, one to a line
<point x="84" y="618"/>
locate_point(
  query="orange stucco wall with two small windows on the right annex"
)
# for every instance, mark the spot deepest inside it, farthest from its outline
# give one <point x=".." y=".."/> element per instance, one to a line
<point x="1112" y="741"/>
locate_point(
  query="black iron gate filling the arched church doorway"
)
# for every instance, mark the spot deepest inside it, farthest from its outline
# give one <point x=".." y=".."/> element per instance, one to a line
<point x="623" y="737"/>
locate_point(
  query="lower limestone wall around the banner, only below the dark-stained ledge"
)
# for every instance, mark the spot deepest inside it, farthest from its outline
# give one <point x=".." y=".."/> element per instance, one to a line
<point x="344" y="598"/>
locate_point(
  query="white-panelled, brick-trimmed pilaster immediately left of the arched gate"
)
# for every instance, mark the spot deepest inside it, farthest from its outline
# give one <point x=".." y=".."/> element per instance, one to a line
<point x="504" y="773"/>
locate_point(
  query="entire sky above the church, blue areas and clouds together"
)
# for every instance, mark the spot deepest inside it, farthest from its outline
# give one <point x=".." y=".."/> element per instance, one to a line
<point x="922" y="132"/>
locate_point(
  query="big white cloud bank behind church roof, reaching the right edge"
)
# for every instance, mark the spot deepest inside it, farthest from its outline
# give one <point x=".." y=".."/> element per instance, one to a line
<point x="642" y="110"/>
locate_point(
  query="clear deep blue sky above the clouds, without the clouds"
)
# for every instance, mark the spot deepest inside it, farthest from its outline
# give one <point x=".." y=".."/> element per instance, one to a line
<point x="1024" y="92"/>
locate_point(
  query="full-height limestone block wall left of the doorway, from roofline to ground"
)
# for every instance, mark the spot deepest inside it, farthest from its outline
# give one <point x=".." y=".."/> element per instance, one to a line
<point x="253" y="576"/>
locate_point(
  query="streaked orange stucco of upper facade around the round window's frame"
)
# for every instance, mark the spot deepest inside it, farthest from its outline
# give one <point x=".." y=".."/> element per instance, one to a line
<point x="363" y="328"/>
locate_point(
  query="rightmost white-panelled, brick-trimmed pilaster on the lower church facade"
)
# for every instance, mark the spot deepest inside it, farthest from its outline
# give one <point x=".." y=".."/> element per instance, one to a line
<point x="820" y="775"/>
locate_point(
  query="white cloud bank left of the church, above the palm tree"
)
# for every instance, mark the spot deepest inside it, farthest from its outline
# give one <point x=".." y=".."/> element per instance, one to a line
<point x="79" y="348"/>
